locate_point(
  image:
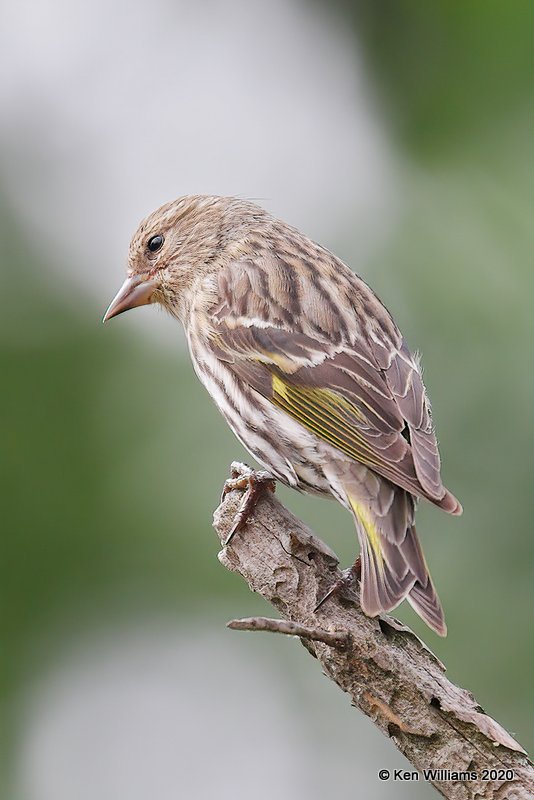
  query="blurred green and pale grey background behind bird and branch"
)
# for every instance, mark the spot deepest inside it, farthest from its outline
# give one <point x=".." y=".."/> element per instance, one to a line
<point x="400" y="135"/>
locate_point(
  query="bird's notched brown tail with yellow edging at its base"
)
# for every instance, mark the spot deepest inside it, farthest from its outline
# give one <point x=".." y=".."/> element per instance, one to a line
<point x="393" y="565"/>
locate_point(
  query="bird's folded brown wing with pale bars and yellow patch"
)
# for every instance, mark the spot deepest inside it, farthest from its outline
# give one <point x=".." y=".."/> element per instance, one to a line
<point x="330" y="356"/>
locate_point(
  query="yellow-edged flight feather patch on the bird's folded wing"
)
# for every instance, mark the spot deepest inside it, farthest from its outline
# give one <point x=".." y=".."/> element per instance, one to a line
<point x="326" y="414"/>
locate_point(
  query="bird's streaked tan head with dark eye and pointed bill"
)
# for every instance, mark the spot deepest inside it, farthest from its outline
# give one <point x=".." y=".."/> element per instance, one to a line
<point x="176" y="246"/>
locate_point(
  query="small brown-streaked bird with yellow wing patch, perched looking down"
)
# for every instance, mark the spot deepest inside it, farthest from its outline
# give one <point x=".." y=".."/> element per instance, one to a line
<point x="310" y="372"/>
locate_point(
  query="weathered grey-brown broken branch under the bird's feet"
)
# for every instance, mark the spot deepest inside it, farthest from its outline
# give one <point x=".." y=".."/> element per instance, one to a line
<point x="388" y="672"/>
